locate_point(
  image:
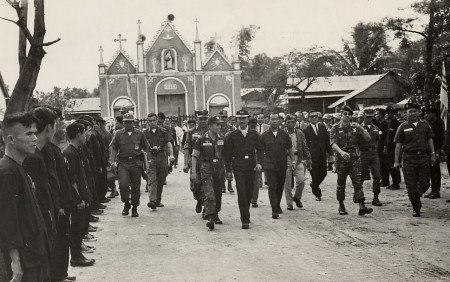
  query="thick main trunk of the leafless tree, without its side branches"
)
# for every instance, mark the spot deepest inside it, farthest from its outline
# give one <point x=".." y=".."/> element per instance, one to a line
<point x="23" y="90"/>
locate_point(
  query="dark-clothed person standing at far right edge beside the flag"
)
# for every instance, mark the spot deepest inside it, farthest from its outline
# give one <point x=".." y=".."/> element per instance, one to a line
<point x="437" y="126"/>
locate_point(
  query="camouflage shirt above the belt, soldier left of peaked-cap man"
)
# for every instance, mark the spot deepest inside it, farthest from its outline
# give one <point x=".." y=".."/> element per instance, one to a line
<point x="209" y="148"/>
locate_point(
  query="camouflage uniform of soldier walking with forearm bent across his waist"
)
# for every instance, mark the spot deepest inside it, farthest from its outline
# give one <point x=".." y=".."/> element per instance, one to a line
<point x="349" y="139"/>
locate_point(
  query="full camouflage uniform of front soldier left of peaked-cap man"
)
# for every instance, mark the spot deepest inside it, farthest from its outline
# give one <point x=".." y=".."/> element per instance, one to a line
<point x="212" y="171"/>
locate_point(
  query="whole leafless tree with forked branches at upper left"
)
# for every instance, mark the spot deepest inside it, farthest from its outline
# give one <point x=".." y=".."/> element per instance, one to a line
<point x="30" y="64"/>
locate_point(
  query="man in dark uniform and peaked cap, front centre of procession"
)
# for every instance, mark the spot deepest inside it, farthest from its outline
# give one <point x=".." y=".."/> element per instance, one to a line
<point x="243" y="153"/>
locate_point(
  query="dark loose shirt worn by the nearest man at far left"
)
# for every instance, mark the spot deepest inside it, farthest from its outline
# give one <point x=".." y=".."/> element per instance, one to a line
<point x="22" y="225"/>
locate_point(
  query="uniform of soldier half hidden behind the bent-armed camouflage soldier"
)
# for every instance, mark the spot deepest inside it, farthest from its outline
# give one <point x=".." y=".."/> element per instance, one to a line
<point x="370" y="160"/>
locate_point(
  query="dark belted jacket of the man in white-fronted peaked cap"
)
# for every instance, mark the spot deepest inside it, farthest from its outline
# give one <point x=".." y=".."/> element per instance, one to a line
<point x="241" y="151"/>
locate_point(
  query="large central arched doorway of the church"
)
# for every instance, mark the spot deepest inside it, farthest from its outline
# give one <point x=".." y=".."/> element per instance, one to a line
<point x="170" y="96"/>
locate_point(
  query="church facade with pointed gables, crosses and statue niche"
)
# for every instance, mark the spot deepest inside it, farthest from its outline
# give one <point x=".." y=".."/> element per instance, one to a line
<point x="169" y="77"/>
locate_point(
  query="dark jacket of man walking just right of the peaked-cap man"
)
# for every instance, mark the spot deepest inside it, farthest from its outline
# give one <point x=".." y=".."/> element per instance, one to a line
<point x="275" y="149"/>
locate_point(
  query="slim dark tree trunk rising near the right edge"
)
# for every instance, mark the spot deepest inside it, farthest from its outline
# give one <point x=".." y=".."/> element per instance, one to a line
<point x="429" y="43"/>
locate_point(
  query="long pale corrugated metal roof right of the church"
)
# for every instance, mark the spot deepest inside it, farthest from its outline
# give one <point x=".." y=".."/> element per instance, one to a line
<point x="338" y="83"/>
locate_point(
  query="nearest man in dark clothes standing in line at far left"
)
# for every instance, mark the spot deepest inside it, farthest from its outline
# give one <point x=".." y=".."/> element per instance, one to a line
<point x="22" y="225"/>
